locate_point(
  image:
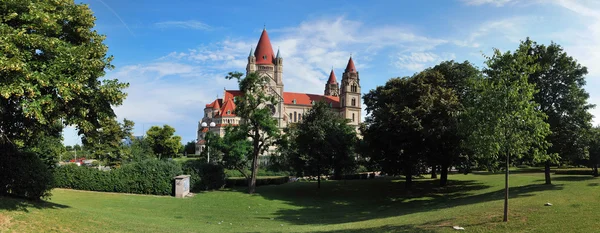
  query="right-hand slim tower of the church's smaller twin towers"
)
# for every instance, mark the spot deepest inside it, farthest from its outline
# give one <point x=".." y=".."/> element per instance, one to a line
<point x="350" y="94"/>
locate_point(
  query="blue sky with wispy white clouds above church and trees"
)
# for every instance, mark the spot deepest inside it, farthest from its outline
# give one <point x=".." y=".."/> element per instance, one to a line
<point x="175" y="54"/>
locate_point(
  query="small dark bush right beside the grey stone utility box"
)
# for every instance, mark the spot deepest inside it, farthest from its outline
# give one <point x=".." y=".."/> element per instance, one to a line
<point x="204" y="176"/>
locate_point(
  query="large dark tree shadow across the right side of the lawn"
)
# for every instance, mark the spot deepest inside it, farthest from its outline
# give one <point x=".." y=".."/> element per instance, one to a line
<point x="361" y="200"/>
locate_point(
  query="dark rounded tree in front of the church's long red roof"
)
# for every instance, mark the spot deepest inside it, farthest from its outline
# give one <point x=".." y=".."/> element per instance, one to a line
<point x="325" y="141"/>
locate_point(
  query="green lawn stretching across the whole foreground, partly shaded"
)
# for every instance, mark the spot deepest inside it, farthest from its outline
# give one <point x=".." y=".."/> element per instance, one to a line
<point x="472" y="201"/>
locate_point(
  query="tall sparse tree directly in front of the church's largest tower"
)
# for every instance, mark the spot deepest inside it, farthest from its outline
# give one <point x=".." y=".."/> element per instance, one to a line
<point x="258" y="123"/>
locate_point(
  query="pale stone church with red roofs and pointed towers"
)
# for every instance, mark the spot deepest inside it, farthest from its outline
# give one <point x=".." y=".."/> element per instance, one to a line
<point x="344" y="98"/>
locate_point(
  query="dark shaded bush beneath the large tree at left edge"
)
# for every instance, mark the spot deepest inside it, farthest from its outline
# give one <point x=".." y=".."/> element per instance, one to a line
<point x="24" y="174"/>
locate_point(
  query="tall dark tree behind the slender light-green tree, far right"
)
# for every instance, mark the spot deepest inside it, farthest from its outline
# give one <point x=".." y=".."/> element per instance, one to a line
<point x="559" y="81"/>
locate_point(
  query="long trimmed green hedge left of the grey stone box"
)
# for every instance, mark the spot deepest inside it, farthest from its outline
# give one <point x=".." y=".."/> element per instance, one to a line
<point x="145" y="177"/>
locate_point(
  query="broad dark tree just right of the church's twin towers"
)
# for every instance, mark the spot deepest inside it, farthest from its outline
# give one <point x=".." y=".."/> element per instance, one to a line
<point x="417" y="119"/>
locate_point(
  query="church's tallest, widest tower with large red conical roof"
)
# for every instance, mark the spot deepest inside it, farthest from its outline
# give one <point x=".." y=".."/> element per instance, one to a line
<point x="263" y="61"/>
